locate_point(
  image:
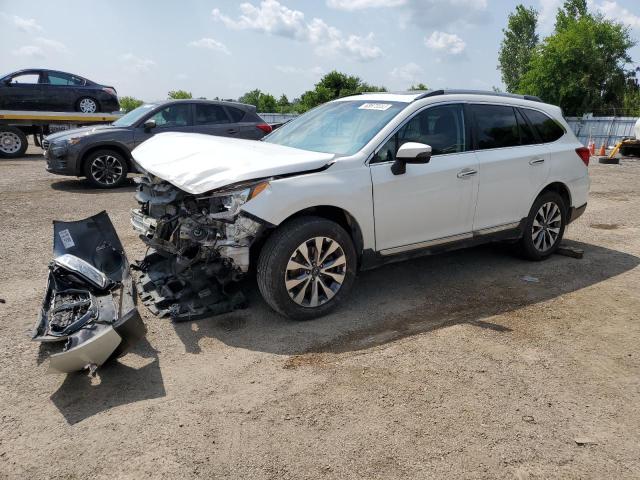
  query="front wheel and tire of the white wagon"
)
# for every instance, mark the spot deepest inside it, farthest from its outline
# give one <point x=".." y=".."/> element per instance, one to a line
<point x="287" y="244"/>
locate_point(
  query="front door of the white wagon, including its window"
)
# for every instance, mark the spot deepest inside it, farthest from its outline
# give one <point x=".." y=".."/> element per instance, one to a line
<point x="433" y="202"/>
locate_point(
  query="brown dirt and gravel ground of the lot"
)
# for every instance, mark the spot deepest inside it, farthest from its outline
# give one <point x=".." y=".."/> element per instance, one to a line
<point x="451" y="366"/>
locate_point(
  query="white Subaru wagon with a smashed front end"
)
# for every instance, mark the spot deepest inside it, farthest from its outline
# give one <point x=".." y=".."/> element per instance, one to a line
<point x="353" y="184"/>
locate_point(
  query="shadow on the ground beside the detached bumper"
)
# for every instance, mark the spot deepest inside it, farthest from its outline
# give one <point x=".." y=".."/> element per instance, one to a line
<point x="81" y="396"/>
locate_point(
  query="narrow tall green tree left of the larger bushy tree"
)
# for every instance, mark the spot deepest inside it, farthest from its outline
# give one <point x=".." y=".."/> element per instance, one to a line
<point x="518" y="45"/>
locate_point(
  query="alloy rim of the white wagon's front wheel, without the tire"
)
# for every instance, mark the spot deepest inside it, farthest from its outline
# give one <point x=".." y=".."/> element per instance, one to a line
<point x="315" y="272"/>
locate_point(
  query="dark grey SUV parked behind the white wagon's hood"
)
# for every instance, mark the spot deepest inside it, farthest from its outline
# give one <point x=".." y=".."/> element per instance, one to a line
<point x="103" y="153"/>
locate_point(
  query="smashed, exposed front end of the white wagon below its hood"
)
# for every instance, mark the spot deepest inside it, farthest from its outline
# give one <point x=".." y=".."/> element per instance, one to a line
<point x="199" y="247"/>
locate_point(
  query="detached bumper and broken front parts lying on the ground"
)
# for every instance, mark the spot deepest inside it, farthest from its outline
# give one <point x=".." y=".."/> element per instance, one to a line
<point x="89" y="307"/>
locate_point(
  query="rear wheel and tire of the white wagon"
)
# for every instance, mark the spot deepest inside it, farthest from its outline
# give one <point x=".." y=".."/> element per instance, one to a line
<point x="532" y="245"/>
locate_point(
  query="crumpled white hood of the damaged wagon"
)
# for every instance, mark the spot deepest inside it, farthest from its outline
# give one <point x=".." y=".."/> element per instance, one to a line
<point x="199" y="163"/>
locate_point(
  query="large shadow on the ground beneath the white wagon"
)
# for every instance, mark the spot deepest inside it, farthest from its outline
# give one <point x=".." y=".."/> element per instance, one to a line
<point x="408" y="298"/>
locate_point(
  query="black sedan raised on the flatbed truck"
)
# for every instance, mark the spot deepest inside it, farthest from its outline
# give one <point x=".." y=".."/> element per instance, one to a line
<point x="49" y="90"/>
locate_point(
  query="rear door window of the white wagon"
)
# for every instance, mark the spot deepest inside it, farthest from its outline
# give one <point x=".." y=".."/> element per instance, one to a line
<point x="496" y="126"/>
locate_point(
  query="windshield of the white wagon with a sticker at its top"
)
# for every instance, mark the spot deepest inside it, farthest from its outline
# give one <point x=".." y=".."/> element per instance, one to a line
<point x="342" y="127"/>
